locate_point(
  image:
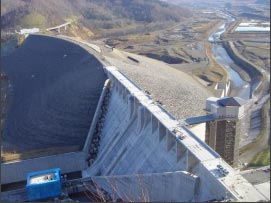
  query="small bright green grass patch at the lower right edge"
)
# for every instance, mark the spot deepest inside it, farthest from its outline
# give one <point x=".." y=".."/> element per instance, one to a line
<point x="261" y="159"/>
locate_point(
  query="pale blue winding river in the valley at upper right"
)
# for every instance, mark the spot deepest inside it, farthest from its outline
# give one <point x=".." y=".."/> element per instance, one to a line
<point x="242" y="88"/>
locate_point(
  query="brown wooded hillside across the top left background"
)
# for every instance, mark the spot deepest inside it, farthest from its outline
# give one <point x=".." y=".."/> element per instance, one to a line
<point x="95" y="15"/>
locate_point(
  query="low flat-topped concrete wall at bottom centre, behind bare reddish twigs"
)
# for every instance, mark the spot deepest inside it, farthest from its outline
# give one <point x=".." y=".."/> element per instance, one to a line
<point x="151" y="187"/>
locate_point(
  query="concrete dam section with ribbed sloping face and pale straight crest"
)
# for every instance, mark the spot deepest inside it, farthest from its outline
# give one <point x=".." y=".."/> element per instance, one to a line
<point x="135" y="137"/>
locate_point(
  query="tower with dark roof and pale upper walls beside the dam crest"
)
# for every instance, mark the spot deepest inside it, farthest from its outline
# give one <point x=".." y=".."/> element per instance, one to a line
<point x="223" y="133"/>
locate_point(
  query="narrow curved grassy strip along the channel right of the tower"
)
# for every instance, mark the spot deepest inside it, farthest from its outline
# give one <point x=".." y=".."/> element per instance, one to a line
<point x="259" y="139"/>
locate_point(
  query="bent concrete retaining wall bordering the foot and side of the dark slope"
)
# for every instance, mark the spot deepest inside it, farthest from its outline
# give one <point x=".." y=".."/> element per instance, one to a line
<point x="17" y="171"/>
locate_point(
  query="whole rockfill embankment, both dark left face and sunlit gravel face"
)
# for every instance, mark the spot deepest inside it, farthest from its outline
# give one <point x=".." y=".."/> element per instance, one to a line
<point x="61" y="89"/>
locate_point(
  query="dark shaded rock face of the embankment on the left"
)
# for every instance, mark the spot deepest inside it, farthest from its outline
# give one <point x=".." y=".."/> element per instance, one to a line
<point x="56" y="86"/>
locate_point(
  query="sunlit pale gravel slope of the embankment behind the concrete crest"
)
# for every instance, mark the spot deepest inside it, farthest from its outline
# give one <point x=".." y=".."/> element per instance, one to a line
<point x="180" y="93"/>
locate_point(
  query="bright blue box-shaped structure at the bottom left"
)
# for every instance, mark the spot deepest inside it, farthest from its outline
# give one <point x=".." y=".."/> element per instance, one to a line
<point x="43" y="184"/>
